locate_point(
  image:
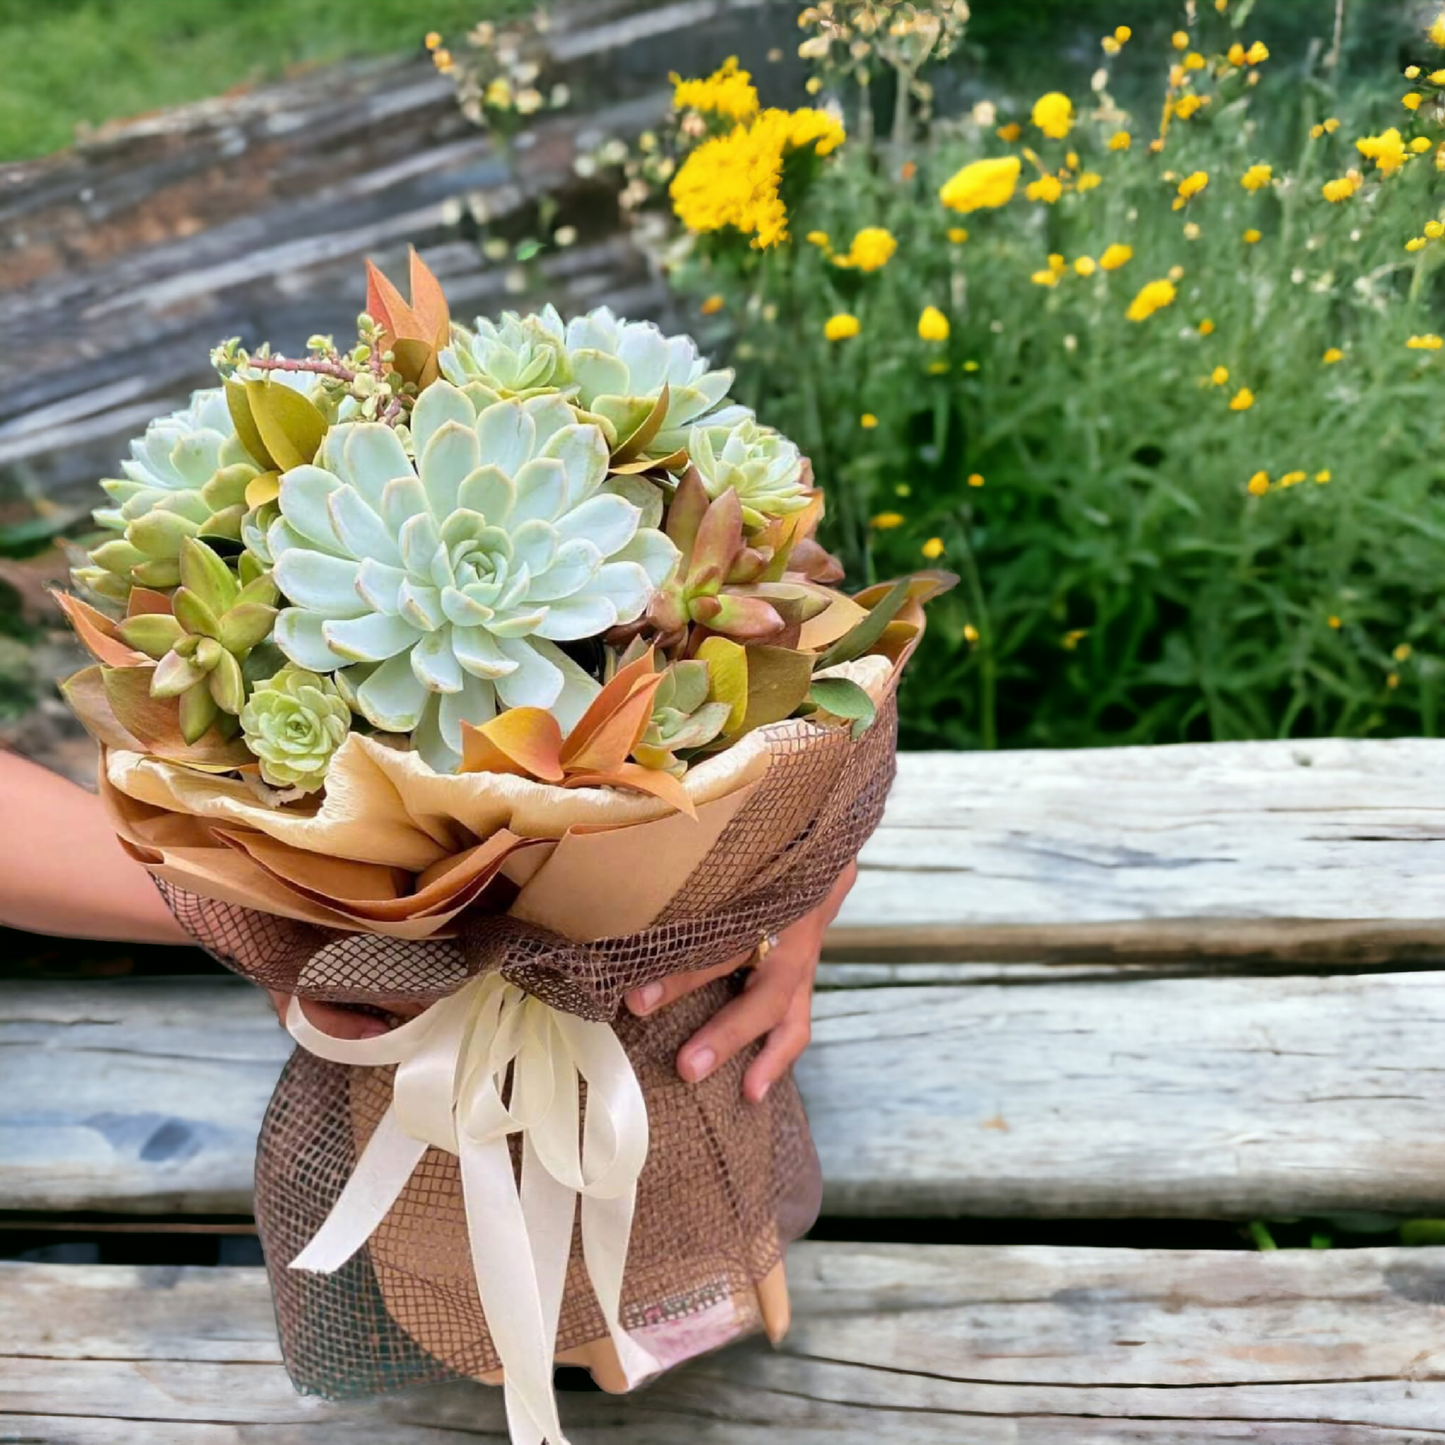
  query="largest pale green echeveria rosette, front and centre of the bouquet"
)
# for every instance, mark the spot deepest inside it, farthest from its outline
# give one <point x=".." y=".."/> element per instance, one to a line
<point x="440" y="589"/>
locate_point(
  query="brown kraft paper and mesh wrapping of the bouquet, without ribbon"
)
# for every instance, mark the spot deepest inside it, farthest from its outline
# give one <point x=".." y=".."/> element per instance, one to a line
<point x="401" y="887"/>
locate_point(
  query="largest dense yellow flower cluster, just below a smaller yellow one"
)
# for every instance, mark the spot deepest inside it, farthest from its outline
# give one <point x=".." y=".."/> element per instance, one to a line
<point x="735" y="180"/>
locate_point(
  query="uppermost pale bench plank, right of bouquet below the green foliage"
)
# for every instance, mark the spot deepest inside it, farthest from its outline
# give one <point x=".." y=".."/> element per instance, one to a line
<point x="1144" y="852"/>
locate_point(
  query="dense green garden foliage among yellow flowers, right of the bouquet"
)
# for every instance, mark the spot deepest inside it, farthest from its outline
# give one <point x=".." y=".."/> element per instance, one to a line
<point x="1086" y="472"/>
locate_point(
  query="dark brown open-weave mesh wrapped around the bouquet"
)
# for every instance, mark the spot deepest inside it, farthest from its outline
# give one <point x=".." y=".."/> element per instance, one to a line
<point x="728" y="1184"/>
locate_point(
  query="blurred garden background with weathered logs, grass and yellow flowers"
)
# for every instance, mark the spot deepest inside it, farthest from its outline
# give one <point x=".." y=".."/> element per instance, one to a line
<point x="1126" y="313"/>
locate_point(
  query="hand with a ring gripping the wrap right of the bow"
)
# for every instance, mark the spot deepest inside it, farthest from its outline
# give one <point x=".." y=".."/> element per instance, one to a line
<point x="777" y="1002"/>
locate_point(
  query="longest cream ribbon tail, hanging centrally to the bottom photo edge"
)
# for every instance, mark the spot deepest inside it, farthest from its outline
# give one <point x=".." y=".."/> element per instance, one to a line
<point x="509" y="1290"/>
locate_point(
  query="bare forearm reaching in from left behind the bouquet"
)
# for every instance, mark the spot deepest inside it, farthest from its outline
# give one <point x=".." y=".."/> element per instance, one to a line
<point x="61" y="869"/>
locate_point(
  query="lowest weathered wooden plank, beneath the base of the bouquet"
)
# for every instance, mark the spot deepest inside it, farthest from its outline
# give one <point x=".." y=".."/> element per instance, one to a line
<point x="891" y="1343"/>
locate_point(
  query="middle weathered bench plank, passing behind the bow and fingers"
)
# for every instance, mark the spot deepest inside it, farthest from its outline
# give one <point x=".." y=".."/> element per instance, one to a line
<point x="1199" y="1097"/>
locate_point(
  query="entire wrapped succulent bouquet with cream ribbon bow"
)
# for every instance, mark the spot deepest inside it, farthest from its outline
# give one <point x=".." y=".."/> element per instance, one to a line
<point x="405" y="654"/>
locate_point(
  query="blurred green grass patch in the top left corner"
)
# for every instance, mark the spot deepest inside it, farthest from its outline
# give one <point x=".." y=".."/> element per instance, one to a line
<point x="76" y="63"/>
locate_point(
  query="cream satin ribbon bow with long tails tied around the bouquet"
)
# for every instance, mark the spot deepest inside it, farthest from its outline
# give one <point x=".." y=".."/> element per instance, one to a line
<point x="453" y="1064"/>
